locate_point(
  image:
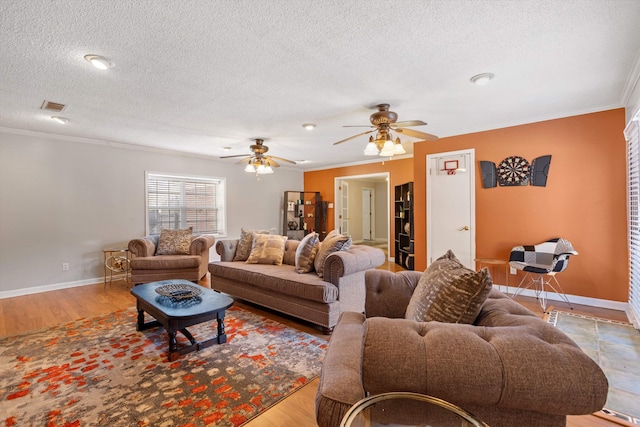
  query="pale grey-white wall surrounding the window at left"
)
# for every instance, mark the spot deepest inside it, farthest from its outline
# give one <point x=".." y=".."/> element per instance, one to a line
<point x="62" y="200"/>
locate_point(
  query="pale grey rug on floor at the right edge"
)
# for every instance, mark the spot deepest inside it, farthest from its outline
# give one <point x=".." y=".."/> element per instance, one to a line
<point x="615" y="346"/>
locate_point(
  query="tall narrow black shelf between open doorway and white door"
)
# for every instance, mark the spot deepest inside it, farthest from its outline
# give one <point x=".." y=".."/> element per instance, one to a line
<point x="403" y="230"/>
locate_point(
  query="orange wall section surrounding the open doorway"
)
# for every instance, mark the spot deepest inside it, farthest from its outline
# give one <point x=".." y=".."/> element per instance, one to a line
<point x="400" y="171"/>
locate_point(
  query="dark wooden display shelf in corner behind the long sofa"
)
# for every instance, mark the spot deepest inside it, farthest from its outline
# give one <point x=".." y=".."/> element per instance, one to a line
<point x="304" y="212"/>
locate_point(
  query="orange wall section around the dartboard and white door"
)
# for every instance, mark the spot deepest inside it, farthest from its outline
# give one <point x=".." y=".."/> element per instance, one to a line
<point x="584" y="200"/>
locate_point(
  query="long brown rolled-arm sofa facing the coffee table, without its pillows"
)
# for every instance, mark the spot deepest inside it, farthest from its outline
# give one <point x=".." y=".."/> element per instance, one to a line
<point x="305" y="296"/>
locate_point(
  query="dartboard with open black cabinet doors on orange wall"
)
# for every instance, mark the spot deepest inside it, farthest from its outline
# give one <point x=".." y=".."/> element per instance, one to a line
<point x="515" y="171"/>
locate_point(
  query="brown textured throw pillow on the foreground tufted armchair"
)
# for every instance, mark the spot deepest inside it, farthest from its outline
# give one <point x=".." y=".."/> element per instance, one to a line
<point x="449" y="292"/>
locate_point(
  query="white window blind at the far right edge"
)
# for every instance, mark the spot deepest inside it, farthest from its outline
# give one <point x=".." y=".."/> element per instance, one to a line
<point x="632" y="135"/>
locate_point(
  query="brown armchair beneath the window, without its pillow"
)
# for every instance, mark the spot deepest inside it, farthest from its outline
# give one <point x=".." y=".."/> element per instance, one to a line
<point x="147" y="267"/>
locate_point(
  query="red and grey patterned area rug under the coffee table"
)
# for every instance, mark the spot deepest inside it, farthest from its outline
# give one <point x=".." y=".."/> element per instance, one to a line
<point x="101" y="371"/>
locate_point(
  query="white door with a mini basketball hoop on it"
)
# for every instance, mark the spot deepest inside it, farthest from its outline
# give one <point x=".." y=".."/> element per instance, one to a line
<point x="451" y="206"/>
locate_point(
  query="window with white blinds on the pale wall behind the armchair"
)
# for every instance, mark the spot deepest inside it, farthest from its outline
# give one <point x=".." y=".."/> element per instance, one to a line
<point x="175" y="202"/>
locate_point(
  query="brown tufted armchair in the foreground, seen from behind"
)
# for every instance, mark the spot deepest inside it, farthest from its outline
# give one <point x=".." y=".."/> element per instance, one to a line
<point x="509" y="368"/>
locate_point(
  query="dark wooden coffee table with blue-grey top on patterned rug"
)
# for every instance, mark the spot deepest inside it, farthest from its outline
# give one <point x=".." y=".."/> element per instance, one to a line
<point x="177" y="313"/>
